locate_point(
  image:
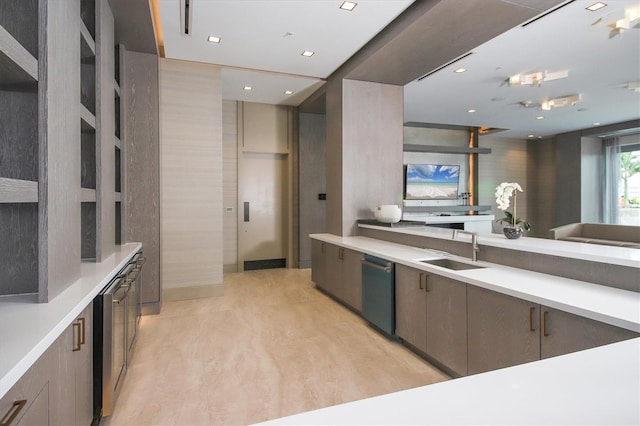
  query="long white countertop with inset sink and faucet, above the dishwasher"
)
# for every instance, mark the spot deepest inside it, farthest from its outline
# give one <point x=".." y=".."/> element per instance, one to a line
<point x="613" y="306"/>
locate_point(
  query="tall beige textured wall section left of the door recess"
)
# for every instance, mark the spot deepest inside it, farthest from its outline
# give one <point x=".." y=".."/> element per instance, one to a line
<point x="190" y="179"/>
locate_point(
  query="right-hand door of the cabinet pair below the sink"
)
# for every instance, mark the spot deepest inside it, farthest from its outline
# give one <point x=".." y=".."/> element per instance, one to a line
<point x="447" y="322"/>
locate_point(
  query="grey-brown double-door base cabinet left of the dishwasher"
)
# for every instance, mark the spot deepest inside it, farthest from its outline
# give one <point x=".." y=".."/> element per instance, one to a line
<point x="338" y="271"/>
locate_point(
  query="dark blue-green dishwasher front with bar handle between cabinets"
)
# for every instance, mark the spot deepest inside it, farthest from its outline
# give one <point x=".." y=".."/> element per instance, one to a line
<point x="378" y="293"/>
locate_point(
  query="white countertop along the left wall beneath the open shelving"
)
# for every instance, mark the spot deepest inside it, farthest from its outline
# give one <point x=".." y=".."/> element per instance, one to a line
<point x="28" y="328"/>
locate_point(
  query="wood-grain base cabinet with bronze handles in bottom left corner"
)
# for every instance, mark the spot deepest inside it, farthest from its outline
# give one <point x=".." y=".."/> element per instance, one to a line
<point x="58" y="388"/>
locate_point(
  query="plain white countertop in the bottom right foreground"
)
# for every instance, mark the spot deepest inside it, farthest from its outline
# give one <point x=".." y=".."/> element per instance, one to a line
<point x="596" y="386"/>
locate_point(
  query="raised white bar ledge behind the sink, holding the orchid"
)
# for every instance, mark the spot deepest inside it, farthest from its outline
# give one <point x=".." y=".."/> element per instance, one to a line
<point x="592" y="252"/>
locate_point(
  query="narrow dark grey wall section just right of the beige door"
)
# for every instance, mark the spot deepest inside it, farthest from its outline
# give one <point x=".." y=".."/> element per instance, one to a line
<point x="312" y="179"/>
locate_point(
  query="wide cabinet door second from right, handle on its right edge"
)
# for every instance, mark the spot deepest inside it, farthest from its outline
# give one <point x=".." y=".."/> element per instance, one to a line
<point x="502" y="330"/>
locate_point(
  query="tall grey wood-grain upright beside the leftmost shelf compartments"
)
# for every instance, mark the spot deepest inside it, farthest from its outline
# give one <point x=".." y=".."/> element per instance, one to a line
<point x="59" y="207"/>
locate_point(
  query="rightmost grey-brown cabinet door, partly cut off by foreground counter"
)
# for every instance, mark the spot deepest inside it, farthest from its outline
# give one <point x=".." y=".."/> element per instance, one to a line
<point x="563" y="333"/>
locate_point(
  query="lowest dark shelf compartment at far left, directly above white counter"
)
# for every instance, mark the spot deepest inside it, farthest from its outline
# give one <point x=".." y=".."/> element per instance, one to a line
<point x="19" y="248"/>
